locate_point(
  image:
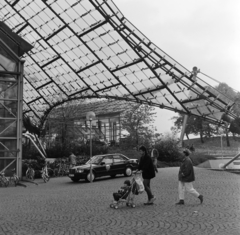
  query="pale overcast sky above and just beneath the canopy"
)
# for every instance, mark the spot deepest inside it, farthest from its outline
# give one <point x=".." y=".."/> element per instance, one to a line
<point x="198" y="33"/>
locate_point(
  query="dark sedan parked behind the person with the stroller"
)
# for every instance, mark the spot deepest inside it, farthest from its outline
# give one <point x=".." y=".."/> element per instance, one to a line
<point x="104" y="165"/>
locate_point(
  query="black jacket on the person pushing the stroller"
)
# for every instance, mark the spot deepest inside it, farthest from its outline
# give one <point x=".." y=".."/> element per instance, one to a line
<point x="147" y="167"/>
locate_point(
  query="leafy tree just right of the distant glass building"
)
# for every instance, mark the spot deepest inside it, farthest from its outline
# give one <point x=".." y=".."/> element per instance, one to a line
<point x="137" y="122"/>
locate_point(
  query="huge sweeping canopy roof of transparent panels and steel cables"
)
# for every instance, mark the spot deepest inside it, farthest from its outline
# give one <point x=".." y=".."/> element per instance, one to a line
<point x="87" y="48"/>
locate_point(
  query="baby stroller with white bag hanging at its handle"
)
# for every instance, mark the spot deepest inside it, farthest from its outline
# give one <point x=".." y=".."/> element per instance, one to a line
<point x="127" y="195"/>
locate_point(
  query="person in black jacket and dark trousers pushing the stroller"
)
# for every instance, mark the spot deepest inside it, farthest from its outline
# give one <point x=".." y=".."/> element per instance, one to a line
<point x="147" y="168"/>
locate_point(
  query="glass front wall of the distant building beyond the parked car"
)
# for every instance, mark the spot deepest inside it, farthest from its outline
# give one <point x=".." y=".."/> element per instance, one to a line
<point x="104" y="128"/>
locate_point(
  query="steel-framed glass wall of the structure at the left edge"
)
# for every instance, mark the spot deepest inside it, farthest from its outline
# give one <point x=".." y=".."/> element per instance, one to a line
<point x="10" y="110"/>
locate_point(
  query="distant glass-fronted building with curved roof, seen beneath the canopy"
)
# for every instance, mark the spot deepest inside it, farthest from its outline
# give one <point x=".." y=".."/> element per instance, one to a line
<point x="70" y="121"/>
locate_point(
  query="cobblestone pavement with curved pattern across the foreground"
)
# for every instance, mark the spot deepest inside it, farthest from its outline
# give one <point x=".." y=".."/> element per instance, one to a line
<point x="64" y="208"/>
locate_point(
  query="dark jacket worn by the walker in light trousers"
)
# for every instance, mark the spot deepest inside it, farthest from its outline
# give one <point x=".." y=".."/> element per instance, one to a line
<point x="186" y="171"/>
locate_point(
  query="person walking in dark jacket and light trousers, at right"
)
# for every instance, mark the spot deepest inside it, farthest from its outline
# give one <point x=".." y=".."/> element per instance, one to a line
<point x="186" y="177"/>
